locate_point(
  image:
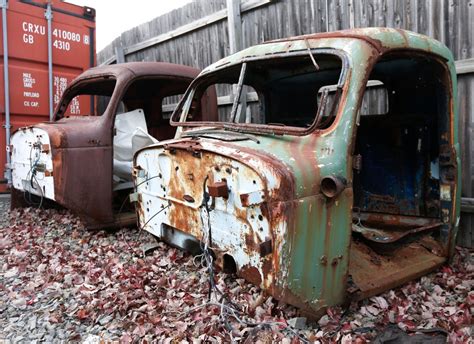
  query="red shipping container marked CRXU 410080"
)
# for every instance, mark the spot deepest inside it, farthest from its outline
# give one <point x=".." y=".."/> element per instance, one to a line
<point x="73" y="51"/>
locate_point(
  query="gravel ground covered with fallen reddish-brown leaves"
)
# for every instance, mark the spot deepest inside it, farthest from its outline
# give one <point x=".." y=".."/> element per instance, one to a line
<point x="61" y="283"/>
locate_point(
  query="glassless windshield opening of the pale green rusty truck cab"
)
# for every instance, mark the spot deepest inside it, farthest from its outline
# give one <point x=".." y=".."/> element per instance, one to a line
<point x="277" y="93"/>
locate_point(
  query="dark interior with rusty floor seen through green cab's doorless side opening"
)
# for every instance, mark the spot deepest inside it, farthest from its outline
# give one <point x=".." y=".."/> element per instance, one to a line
<point x="404" y="174"/>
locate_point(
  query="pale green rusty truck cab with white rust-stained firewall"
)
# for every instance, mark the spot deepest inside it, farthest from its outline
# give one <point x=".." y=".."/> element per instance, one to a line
<point x="332" y="175"/>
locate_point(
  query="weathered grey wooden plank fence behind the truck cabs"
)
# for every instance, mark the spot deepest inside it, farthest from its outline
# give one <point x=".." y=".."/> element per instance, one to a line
<point x="198" y="35"/>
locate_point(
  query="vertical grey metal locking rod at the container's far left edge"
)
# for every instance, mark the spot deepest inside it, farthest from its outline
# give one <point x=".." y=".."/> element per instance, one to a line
<point x="6" y="81"/>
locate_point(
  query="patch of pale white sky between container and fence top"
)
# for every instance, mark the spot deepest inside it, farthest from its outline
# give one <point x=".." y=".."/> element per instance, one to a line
<point x="116" y="16"/>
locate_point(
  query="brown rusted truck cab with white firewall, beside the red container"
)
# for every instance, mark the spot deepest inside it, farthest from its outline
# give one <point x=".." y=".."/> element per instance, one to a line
<point x="83" y="161"/>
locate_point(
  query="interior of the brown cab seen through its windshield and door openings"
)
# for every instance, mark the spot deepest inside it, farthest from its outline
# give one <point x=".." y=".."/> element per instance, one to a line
<point x="141" y="117"/>
